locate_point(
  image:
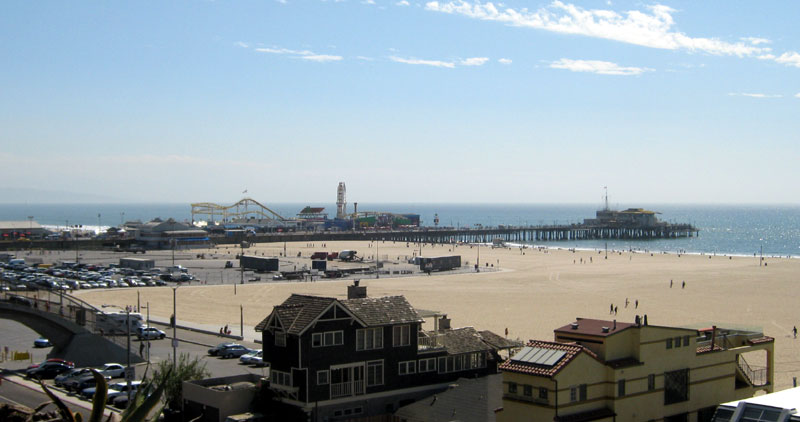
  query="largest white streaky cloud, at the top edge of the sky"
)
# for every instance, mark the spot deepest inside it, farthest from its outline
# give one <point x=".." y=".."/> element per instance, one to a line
<point x="651" y="28"/>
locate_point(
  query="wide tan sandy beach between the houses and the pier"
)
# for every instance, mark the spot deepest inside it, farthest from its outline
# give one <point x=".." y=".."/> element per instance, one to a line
<point x="534" y="292"/>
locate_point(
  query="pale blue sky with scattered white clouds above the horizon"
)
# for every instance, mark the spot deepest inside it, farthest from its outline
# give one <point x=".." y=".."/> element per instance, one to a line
<point x="405" y="101"/>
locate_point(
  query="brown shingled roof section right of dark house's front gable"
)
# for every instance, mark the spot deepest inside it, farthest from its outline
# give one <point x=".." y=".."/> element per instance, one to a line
<point x="386" y="310"/>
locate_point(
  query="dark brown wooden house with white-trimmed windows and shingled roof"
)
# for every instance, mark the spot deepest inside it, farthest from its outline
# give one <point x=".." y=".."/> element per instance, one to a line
<point x="362" y="356"/>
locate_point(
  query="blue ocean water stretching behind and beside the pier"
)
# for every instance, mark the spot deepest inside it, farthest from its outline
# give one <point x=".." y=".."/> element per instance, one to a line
<point x="724" y="229"/>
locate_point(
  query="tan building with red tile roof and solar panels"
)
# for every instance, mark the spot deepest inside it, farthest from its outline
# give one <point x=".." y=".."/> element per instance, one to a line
<point x="608" y="371"/>
